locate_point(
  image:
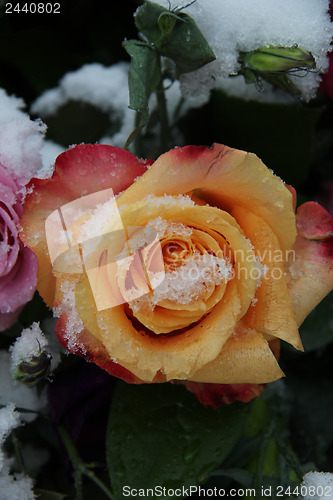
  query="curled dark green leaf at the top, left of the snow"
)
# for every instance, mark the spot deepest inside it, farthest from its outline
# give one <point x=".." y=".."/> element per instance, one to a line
<point x="175" y="35"/>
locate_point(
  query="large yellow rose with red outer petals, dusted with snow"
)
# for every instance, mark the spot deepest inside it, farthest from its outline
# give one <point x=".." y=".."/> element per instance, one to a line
<point x="260" y="269"/>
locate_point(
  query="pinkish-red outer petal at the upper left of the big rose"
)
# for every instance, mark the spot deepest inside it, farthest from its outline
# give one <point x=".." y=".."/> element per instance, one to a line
<point x="80" y="171"/>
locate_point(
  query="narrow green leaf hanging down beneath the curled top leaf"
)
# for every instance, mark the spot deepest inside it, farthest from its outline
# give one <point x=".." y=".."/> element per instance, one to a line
<point x="143" y="77"/>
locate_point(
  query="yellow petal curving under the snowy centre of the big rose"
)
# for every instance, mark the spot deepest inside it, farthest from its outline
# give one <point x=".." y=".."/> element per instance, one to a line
<point x="157" y="358"/>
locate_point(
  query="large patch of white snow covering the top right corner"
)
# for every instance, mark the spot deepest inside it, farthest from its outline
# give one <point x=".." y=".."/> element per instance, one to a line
<point x="232" y="26"/>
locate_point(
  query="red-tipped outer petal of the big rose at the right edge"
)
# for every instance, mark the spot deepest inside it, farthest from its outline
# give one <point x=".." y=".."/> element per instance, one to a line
<point x="310" y="273"/>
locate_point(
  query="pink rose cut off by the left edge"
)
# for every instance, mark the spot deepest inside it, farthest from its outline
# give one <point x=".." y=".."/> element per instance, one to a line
<point x="18" y="264"/>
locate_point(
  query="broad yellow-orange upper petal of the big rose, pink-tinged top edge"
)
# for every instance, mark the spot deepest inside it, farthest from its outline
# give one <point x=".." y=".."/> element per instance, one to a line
<point x="224" y="177"/>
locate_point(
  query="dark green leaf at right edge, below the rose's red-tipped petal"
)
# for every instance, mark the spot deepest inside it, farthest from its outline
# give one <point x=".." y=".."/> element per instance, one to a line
<point x="317" y="329"/>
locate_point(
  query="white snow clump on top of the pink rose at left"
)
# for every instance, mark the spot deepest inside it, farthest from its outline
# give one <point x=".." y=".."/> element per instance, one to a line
<point x="20" y="139"/>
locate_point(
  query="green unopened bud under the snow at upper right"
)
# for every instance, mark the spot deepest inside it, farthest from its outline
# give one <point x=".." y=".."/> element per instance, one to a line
<point x="276" y="65"/>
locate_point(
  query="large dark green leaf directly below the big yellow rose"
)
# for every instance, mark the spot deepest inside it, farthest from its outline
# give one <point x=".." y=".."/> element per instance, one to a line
<point x="161" y="435"/>
